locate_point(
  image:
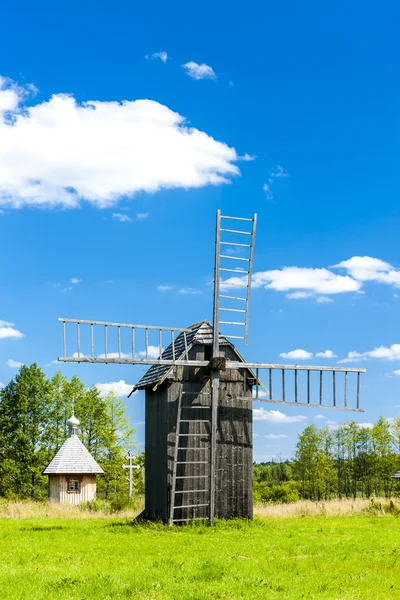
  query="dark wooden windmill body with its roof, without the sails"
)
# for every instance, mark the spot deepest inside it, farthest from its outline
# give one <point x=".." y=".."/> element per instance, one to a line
<point x="178" y="435"/>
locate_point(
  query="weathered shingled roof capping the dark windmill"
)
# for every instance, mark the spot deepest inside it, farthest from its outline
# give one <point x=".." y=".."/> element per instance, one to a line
<point x="198" y="333"/>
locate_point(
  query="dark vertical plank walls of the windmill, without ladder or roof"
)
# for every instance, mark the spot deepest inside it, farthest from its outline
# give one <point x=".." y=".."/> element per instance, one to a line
<point x="234" y="442"/>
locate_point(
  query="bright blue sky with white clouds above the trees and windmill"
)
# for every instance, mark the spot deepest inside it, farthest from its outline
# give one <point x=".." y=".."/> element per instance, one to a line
<point x="288" y="110"/>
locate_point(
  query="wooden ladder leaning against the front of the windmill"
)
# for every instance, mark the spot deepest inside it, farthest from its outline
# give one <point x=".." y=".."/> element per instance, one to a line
<point x="203" y="489"/>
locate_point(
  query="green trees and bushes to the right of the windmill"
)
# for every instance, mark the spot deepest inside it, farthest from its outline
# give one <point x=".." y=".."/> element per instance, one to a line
<point x="349" y="461"/>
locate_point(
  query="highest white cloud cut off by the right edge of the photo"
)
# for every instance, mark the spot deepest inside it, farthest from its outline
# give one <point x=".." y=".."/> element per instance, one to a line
<point x="366" y="268"/>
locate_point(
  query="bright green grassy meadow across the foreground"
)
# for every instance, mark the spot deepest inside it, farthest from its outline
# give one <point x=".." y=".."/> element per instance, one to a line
<point x="303" y="551"/>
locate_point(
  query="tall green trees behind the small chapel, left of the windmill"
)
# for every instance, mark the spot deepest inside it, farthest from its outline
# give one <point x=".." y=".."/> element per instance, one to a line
<point x="33" y="415"/>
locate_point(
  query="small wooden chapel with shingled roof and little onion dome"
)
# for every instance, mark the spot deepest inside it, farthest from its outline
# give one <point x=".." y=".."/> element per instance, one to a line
<point x="73" y="470"/>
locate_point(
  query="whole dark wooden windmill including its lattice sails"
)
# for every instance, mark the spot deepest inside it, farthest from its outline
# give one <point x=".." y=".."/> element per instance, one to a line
<point x="199" y="391"/>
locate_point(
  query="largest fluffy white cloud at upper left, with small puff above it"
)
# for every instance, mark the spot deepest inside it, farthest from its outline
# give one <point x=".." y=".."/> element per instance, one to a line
<point x="60" y="152"/>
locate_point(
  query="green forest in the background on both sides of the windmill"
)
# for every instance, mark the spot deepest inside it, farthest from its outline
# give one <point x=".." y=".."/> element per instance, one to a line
<point x="347" y="461"/>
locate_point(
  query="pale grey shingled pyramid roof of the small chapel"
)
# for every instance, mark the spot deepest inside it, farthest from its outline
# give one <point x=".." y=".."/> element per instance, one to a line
<point x="73" y="457"/>
